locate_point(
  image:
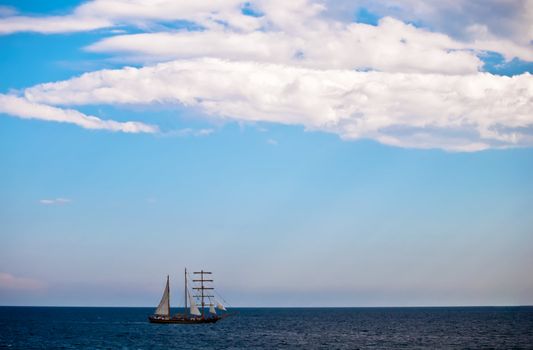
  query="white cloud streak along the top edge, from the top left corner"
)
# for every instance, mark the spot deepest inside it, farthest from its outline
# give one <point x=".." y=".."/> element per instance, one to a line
<point x="99" y="14"/>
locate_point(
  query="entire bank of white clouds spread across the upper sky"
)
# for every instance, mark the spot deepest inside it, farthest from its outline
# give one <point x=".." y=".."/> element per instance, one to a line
<point x="302" y="63"/>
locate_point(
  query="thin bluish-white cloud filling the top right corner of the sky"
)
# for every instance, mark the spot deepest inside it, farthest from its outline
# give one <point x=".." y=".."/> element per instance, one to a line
<point x="504" y="26"/>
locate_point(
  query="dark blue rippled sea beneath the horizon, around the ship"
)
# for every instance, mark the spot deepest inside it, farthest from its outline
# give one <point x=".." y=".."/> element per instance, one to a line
<point x="271" y="328"/>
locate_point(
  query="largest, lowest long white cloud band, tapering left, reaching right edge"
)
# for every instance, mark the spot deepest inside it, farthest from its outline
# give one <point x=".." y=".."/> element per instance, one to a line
<point x="453" y="112"/>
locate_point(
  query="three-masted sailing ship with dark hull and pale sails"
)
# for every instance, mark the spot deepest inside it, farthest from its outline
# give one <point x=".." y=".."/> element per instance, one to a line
<point x="192" y="312"/>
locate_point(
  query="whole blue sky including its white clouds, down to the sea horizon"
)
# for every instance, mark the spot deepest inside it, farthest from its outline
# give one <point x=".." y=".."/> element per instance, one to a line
<point x="289" y="204"/>
